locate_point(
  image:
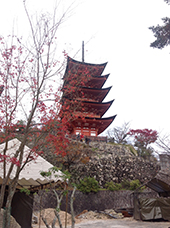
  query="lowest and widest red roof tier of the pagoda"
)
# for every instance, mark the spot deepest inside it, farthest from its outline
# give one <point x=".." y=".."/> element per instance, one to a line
<point x="99" y="123"/>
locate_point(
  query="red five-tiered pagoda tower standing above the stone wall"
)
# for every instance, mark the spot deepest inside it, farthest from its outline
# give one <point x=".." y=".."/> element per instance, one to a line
<point x="84" y="95"/>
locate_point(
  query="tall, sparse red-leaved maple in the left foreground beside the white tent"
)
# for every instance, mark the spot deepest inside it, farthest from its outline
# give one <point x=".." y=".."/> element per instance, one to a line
<point x="29" y="91"/>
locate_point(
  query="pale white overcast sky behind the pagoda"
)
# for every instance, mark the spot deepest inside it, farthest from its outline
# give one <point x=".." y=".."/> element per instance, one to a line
<point x="115" y="32"/>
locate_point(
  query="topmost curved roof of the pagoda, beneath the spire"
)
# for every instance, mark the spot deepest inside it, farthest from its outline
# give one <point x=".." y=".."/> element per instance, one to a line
<point x="76" y="68"/>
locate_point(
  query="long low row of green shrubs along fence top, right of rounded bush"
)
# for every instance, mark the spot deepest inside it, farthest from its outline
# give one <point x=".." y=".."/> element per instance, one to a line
<point x="124" y="185"/>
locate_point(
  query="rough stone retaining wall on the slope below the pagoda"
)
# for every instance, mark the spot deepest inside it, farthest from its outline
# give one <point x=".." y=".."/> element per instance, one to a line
<point x="115" y="163"/>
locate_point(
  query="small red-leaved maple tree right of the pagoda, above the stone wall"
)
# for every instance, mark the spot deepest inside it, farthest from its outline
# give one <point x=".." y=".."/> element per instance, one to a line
<point x="142" y="140"/>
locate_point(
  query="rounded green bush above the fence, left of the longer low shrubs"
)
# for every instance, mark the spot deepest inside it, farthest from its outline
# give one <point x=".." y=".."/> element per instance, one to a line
<point x="88" y="184"/>
